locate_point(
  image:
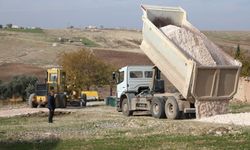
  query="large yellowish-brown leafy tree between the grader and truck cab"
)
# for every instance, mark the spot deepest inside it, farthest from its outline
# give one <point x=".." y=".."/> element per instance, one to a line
<point x="84" y="70"/>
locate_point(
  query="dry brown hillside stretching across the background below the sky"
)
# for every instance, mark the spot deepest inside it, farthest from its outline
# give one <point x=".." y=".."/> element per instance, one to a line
<point x="39" y="50"/>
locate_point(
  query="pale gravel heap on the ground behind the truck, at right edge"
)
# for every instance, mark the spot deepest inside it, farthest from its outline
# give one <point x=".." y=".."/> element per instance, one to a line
<point x="242" y="119"/>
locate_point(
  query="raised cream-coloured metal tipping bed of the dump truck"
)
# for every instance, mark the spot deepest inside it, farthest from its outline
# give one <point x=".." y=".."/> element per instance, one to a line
<point x="192" y="80"/>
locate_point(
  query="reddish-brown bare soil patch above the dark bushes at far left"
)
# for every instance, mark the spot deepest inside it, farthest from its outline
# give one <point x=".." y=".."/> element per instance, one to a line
<point x="9" y="70"/>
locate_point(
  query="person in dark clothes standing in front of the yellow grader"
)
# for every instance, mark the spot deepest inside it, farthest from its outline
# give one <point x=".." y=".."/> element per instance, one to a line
<point x="51" y="104"/>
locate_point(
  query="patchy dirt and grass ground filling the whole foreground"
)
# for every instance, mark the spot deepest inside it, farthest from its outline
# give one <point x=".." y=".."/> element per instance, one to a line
<point x="85" y="128"/>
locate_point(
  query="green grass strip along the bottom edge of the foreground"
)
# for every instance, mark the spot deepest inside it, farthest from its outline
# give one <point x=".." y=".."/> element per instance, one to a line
<point x="240" y="141"/>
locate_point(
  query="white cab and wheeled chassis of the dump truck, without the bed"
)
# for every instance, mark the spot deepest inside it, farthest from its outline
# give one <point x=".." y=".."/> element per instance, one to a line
<point x="140" y="88"/>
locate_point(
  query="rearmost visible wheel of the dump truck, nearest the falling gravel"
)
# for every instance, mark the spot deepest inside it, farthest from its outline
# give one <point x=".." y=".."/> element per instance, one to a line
<point x="172" y="108"/>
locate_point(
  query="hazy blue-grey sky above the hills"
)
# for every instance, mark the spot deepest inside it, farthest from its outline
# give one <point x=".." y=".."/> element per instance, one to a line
<point x="204" y="14"/>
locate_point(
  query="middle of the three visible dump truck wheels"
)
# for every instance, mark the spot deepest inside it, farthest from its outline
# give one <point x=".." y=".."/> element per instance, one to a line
<point x="157" y="108"/>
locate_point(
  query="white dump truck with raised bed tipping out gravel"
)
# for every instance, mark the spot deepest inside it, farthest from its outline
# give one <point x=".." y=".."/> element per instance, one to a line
<point x="203" y="90"/>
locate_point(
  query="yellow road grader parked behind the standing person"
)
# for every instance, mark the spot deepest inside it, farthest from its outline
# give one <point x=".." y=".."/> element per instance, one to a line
<point x="56" y="79"/>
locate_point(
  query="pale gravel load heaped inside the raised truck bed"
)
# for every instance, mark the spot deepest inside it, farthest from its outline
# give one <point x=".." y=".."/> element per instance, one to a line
<point x="197" y="46"/>
